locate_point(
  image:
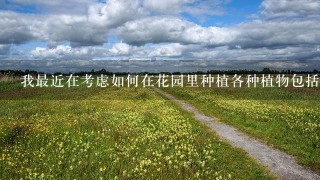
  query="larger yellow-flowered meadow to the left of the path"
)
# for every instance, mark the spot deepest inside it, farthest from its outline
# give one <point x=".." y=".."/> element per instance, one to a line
<point x="125" y="133"/>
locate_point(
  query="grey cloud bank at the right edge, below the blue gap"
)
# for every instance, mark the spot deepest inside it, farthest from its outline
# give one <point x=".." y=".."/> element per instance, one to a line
<point x="273" y="34"/>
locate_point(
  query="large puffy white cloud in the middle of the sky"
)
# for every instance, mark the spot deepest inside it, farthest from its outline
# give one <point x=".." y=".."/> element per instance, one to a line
<point x="169" y="29"/>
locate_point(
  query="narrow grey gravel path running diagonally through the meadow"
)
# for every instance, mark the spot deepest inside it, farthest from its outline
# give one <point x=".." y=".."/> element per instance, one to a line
<point x="279" y="163"/>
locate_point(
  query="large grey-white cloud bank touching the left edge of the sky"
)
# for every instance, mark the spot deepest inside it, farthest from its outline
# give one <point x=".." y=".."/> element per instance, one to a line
<point x="19" y="29"/>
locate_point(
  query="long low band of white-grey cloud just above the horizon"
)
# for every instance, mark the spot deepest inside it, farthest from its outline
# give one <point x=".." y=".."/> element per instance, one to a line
<point x="175" y="51"/>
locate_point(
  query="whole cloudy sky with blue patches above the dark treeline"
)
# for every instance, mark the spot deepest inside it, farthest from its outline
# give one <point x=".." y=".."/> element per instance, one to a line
<point x="160" y="29"/>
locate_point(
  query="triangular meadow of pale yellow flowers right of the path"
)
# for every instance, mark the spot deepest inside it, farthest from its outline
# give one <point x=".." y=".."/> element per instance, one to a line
<point x="288" y="119"/>
